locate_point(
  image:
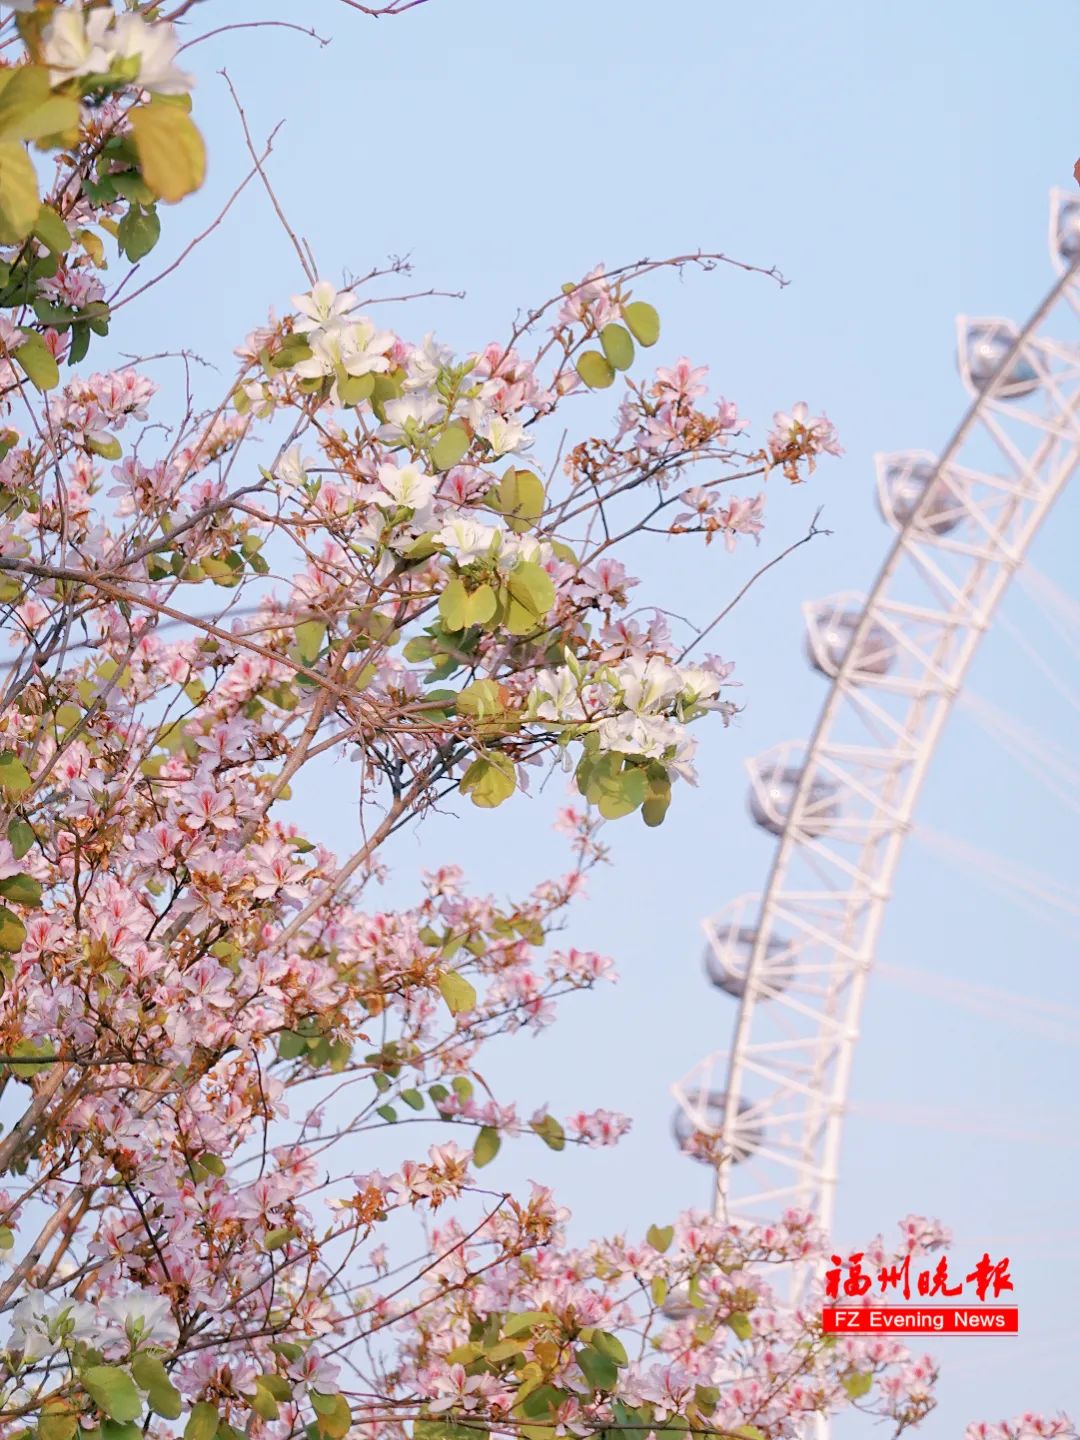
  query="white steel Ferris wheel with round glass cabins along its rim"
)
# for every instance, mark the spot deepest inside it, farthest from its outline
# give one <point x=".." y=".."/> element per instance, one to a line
<point x="768" y="1112"/>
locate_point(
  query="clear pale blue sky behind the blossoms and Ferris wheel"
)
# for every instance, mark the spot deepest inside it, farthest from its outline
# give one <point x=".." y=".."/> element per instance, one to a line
<point x="895" y="163"/>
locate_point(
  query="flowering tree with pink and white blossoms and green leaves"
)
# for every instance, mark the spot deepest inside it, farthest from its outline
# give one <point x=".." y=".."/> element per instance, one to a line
<point x="201" y="1019"/>
